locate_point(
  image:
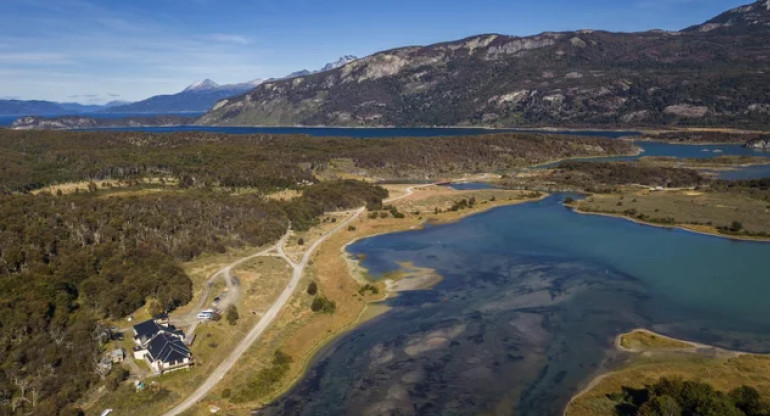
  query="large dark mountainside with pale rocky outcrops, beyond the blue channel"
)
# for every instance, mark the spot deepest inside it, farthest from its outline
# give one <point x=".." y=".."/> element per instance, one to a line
<point x="711" y="74"/>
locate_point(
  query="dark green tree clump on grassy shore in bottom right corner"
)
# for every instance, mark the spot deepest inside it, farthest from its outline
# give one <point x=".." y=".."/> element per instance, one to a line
<point x="676" y="397"/>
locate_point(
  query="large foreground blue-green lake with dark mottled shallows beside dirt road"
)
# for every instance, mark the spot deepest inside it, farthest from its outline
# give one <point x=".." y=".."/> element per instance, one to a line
<point x="531" y="300"/>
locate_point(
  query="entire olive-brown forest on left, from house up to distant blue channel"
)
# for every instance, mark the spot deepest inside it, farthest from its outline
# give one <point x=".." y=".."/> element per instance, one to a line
<point x="71" y="260"/>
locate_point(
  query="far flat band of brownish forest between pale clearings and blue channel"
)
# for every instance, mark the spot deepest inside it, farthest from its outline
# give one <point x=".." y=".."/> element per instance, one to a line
<point x="30" y="160"/>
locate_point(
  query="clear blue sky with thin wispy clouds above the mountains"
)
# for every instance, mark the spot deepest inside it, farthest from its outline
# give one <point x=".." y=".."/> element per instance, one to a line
<point x="100" y="50"/>
